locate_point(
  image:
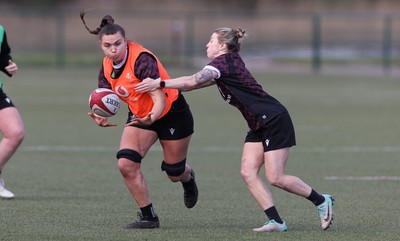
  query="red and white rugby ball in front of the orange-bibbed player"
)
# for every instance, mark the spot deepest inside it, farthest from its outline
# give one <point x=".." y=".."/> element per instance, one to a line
<point x="104" y="102"/>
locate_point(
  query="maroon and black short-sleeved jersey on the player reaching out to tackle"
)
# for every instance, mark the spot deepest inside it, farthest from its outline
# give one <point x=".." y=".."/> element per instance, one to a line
<point x="238" y="87"/>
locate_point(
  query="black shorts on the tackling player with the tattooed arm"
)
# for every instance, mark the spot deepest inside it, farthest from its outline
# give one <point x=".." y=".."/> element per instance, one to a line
<point x="276" y="134"/>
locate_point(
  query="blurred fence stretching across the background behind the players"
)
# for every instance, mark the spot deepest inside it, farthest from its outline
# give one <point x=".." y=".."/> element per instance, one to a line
<point x="308" y="41"/>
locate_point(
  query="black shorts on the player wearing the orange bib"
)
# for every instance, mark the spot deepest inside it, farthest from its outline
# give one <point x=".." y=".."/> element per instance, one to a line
<point x="175" y="125"/>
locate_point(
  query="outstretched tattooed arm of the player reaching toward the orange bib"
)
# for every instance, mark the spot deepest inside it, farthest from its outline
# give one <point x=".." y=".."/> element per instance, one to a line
<point x="199" y="80"/>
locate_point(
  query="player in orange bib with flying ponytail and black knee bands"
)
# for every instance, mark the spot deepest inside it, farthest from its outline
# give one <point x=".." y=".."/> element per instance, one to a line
<point x="160" y="115"/>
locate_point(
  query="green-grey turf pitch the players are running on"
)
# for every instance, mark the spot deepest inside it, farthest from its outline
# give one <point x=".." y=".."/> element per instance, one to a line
<point x="68" y="187"/>
